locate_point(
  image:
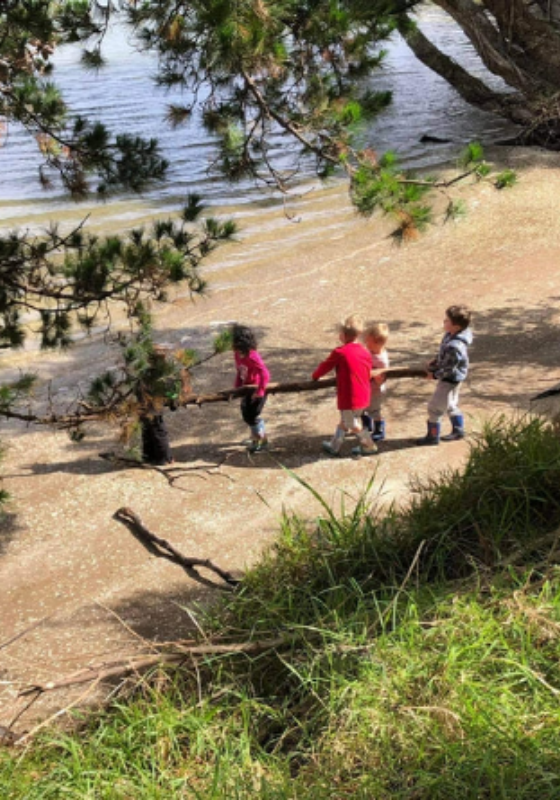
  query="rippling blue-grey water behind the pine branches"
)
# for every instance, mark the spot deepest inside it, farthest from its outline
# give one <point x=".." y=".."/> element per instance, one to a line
<point x="422" y="103"/>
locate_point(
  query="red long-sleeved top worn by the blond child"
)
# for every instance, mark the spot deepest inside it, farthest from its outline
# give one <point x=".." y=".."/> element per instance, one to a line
<point x="353" y="365"/>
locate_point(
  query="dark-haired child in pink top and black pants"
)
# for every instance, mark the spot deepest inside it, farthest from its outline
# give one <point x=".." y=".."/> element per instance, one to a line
<point x="251" y="371"/>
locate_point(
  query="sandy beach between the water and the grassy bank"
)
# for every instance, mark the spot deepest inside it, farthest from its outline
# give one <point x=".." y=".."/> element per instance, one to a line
<point x="78" y="588"/>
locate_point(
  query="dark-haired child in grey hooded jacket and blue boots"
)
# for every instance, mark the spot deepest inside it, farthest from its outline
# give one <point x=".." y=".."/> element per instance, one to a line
<point x="449" y="368"/>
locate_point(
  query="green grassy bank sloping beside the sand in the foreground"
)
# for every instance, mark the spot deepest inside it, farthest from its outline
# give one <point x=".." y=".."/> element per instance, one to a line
<point x="422" y="659"/>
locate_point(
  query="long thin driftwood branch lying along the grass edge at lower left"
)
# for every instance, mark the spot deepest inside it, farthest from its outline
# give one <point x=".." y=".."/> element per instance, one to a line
<point x="128" y="666"/>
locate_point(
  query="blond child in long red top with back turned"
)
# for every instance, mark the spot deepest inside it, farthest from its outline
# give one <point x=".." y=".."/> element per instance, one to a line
<point x="353" y="364"/>
